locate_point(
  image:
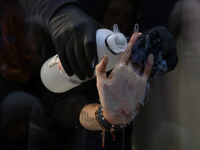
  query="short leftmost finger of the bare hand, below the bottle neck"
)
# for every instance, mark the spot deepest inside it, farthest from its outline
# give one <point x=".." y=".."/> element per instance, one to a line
<point x="101" y="69"/>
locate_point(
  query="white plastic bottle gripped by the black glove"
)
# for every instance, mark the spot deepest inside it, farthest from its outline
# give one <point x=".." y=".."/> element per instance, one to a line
<point x="110" y="43"/>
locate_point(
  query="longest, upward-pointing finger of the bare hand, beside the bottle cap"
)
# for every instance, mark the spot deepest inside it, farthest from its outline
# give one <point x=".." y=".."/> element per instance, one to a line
<point x="125" y="56"/>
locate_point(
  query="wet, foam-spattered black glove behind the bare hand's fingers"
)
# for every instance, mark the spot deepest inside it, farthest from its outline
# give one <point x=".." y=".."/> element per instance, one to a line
<point x="159" y="42"/>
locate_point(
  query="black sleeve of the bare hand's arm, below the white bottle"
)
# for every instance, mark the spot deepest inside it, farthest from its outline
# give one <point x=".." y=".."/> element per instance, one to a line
<point x="65" y="107"/>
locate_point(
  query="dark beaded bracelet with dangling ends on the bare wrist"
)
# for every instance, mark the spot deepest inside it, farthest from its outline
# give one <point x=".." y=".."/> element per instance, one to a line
<point x="106" y="125"/>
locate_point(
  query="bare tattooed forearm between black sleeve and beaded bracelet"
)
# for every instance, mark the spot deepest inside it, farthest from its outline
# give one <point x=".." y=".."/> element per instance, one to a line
<point x="87" y="117"/>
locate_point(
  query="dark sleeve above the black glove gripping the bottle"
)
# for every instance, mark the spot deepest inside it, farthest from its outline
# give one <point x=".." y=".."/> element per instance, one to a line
<point x="42" y="10"/>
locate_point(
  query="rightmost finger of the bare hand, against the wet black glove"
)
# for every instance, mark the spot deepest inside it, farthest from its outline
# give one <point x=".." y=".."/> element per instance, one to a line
<point x="149" y="65"/>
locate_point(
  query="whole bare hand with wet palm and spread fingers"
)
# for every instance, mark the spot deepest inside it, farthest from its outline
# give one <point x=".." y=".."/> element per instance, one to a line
<point x="122" y="93"/>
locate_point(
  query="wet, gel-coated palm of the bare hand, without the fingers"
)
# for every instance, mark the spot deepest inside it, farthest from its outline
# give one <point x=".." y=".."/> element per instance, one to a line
<point x="123" y="90"/>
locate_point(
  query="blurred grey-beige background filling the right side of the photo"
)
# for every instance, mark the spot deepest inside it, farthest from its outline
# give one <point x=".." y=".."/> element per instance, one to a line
<point x="170" y="118"/>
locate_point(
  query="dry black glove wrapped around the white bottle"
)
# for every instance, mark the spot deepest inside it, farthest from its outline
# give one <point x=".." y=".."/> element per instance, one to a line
<point x="73" y="33"/>
